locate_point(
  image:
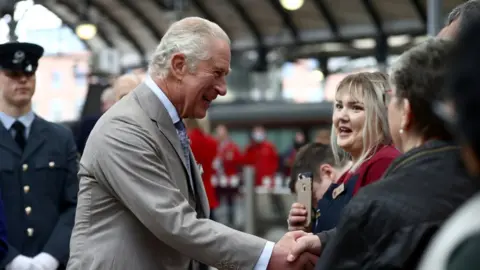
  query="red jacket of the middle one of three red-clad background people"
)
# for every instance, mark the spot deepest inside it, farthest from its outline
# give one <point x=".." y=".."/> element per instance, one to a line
<point x="230" y="158"/>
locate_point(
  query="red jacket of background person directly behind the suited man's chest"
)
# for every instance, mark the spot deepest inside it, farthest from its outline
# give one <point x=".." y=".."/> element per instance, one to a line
<point x="204" y="148"/>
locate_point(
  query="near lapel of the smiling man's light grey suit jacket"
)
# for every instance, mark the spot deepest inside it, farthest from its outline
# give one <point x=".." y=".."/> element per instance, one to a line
<point x="157" y="112"/>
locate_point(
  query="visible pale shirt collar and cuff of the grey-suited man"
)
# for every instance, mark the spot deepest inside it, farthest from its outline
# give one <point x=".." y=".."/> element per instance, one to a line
<point x="264" y="259"/>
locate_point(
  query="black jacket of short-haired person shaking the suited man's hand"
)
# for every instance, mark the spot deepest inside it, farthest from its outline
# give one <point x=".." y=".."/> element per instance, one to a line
<point x="388" y="224"/>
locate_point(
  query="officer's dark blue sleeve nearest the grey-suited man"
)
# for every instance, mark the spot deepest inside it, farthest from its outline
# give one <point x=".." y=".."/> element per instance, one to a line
<point x="59" y="241"/>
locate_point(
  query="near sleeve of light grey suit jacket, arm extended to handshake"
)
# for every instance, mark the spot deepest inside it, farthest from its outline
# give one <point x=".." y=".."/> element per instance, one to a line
<point x="133" y="168"/>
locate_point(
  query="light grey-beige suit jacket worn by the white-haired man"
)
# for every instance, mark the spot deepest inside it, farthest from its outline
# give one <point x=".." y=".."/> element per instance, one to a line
<point x="136" y="205"/>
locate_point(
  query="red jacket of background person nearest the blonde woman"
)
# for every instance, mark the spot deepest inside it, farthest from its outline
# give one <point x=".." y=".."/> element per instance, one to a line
<point x="263" y="156"/>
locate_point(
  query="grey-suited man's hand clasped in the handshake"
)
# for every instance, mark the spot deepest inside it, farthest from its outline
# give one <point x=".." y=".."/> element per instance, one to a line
<point x="281" y="250"/>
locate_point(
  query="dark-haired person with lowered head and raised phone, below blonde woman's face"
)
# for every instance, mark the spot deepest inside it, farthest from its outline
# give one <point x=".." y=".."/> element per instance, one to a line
<point x="318" y="159"/>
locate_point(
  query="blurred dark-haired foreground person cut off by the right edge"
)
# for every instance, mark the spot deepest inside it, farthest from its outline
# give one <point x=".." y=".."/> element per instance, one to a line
<point x="457" y="244"/>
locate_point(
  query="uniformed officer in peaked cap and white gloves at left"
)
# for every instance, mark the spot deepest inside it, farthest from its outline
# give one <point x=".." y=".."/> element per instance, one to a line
<point x="38" y="169"/>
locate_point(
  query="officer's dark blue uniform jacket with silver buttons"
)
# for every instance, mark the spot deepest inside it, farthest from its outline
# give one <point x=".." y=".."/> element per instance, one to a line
<point x="39" y="188"/>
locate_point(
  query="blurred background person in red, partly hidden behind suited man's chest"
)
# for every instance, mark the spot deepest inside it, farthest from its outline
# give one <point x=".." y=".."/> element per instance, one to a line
<point x="204" y="149"/>
